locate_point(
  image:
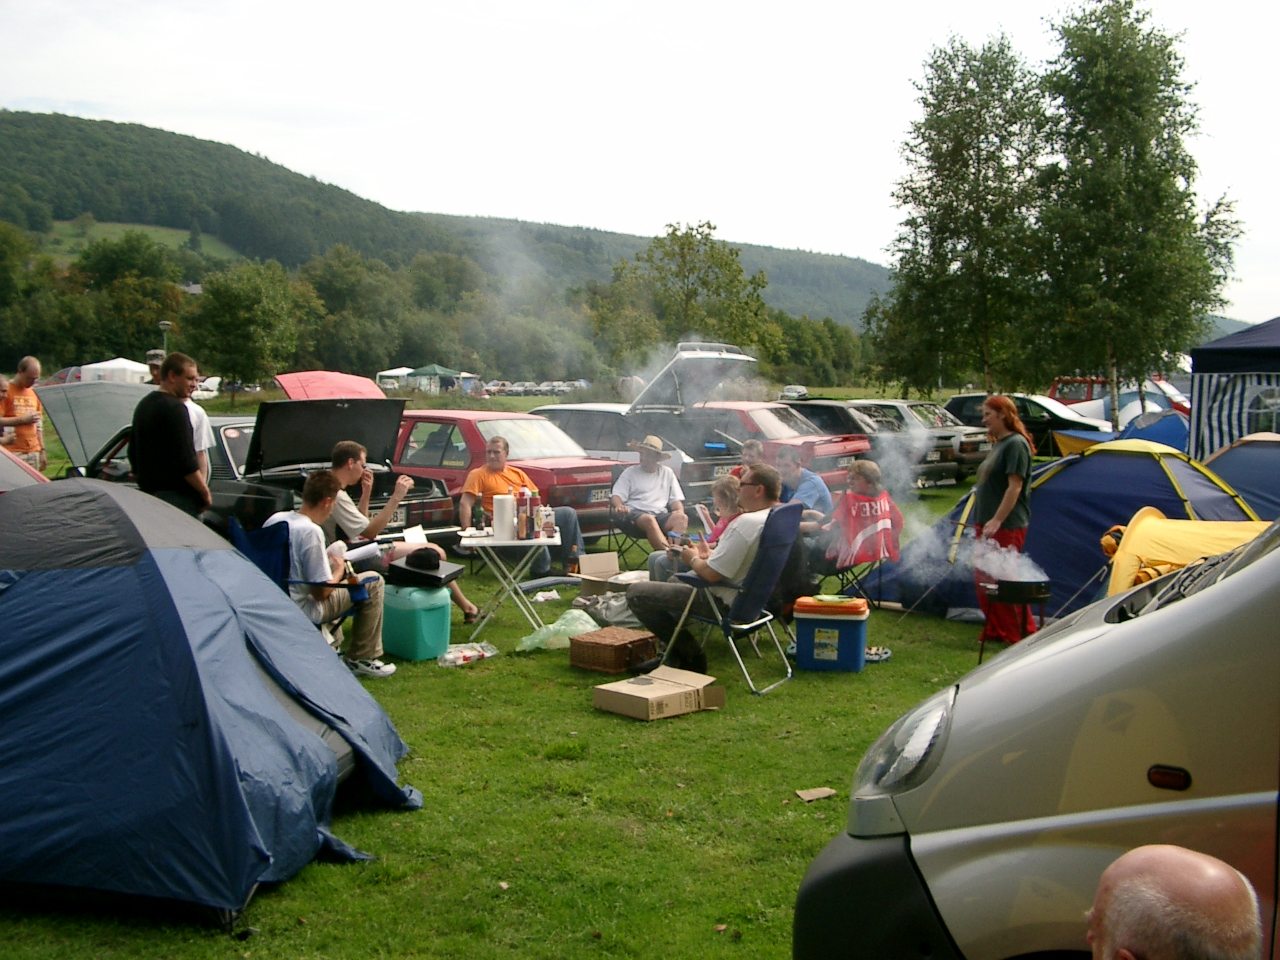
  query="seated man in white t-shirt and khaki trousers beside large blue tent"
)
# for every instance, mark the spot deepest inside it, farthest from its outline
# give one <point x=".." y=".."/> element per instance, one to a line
<point x="318" y="569"/>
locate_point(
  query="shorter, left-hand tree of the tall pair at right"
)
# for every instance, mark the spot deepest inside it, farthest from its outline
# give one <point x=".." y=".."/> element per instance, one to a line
<point x="964" y="273"/>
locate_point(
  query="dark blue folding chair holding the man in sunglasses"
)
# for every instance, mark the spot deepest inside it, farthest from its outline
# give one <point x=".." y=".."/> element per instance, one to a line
<point x="749" y="611"/>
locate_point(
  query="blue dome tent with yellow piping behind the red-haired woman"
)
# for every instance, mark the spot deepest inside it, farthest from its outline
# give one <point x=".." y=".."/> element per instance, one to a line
<point x="1073" y="501"/>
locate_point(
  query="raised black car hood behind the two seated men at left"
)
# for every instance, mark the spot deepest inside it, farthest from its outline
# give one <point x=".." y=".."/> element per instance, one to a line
<point x="299" y="433"/>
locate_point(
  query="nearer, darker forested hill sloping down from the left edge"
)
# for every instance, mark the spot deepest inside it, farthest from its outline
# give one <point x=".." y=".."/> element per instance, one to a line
<point x="58" y="168"/>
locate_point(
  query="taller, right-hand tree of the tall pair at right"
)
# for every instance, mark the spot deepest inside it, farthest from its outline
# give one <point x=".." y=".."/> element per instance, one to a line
<point x="1135" y="268"/>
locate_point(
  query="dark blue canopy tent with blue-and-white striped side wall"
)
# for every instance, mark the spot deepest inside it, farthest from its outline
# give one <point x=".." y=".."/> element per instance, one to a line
<point x="1236" y="388"/>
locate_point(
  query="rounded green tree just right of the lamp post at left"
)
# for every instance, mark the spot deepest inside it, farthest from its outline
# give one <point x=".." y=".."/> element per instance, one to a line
<point x="246" y="326"/>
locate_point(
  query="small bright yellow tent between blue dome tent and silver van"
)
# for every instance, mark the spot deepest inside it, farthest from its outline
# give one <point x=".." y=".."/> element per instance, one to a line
<point x="1154" y="542"/>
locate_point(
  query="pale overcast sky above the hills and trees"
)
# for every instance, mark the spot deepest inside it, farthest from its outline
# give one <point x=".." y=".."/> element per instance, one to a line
<point x="780" y="124"/>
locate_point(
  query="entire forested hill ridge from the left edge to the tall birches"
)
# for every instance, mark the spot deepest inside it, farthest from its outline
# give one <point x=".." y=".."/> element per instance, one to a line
<point x="57" y="168"/>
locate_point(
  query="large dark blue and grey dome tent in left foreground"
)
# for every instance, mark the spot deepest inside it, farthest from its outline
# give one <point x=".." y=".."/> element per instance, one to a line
<point x="141" y="751"/>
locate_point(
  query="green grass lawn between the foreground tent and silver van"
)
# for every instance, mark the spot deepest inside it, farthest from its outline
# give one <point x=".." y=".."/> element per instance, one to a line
<point x="552" y="830"/>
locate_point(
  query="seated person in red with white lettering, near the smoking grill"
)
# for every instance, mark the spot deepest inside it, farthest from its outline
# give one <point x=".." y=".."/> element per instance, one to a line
<point x="865" y="528"/>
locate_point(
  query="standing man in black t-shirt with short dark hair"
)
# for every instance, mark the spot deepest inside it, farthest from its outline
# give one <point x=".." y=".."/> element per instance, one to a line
<point x="162" y="449"/>
